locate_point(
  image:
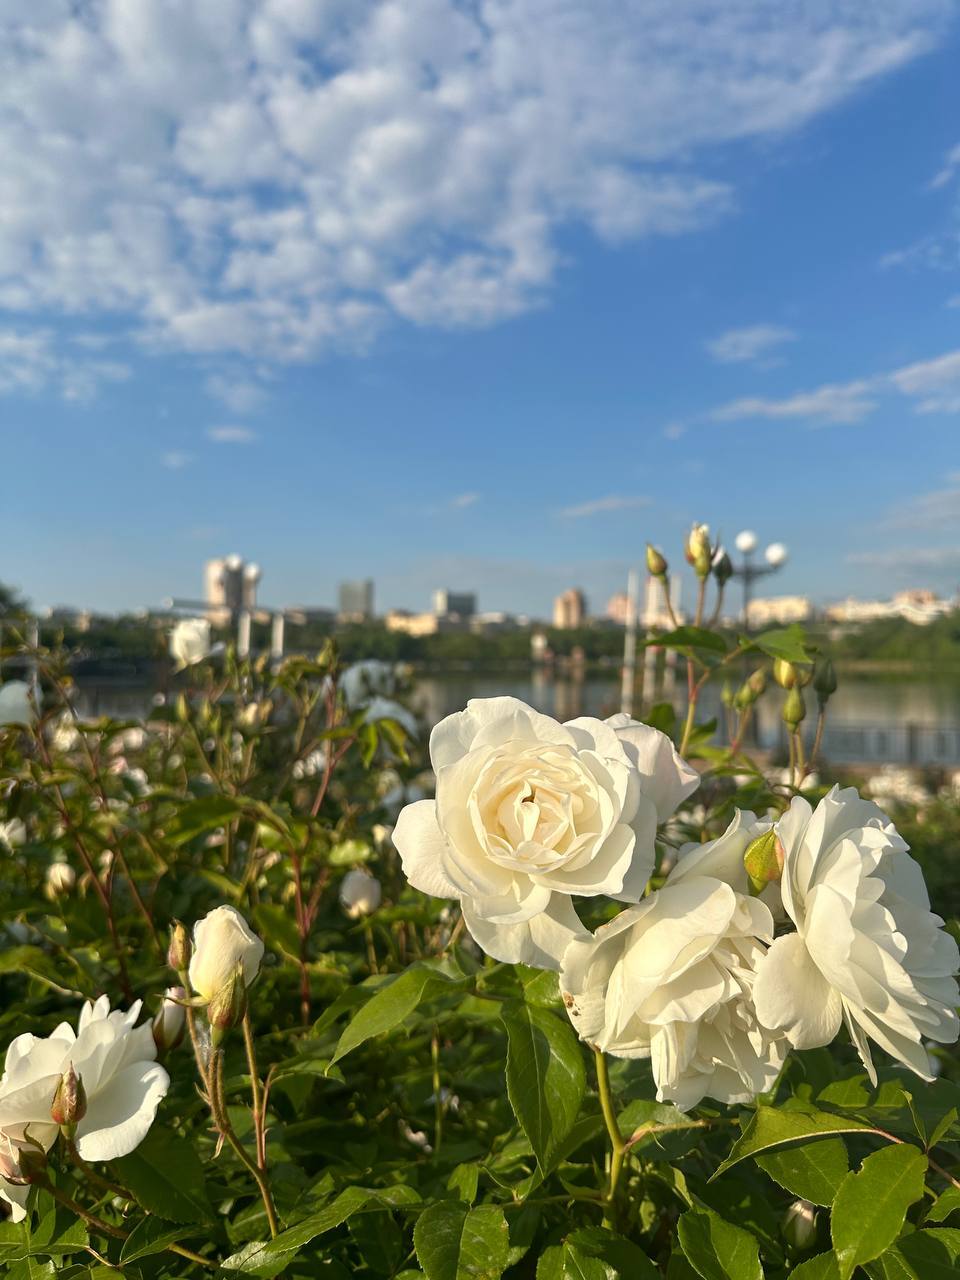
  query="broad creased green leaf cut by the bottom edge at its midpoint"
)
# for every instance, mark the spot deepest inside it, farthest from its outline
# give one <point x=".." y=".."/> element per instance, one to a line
<point x="454" y="1242"/>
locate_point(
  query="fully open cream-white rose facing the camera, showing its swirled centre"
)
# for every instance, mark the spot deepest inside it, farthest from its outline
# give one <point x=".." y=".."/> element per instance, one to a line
<point x="531" y="812"/>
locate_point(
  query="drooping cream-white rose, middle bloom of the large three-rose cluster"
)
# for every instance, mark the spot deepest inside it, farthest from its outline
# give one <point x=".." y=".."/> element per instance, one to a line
<point x="671" y="980"/>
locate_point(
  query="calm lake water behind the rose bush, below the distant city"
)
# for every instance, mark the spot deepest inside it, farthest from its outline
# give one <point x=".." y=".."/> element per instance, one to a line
<point x="871" y="720"/>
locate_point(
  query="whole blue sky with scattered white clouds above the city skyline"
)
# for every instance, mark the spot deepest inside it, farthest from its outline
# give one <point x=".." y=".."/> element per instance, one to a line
<point x="477" y="295"/>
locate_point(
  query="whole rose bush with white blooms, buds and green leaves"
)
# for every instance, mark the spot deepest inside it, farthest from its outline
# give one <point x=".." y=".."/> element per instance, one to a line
<point x="610" y="1000"/>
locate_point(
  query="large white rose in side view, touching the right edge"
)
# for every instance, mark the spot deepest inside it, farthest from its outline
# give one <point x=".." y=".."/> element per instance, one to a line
<point x="867" y="949"/>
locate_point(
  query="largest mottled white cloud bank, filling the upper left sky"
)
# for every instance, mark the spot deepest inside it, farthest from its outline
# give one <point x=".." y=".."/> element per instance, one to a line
<point x="277" y="179"/>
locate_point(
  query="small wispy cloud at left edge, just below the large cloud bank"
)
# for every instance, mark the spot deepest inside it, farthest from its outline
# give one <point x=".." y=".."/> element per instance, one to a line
<point x="33" y="362"/>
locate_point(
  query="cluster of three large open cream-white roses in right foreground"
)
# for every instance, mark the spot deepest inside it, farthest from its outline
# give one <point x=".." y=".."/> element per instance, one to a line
<point x="708" y="979"/>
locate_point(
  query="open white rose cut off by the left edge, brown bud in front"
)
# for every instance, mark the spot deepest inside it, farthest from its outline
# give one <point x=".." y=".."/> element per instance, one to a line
<point x="116" y="1063"/>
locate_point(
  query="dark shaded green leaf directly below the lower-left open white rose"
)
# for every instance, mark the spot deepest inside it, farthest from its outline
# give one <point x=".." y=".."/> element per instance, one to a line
<point x="167" y="1177"/>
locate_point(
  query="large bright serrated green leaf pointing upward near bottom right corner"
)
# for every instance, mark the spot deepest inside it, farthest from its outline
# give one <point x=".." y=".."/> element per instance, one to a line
<point x="871" y="1205"/>
